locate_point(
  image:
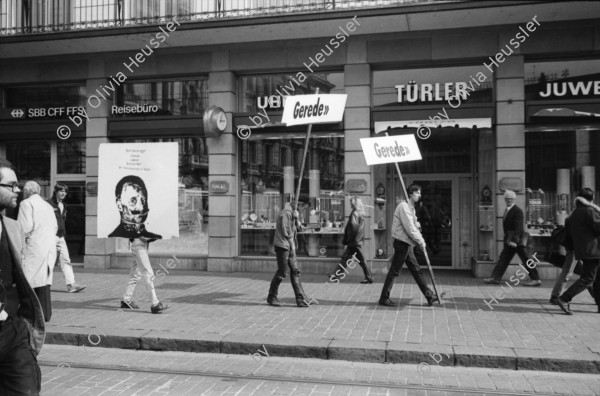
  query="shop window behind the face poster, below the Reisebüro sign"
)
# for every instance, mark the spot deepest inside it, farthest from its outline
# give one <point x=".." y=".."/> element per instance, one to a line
<point x="193" y="200"/>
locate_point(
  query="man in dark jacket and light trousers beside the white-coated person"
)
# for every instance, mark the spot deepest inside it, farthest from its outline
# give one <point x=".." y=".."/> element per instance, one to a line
<point x="60" y="210"/>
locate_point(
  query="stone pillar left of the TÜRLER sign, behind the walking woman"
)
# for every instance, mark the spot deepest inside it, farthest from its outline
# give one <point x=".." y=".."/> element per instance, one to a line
<point x="357" y="122"/>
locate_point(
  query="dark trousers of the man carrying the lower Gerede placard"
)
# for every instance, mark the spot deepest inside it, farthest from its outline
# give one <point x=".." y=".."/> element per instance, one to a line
<point x="403" y="252"/>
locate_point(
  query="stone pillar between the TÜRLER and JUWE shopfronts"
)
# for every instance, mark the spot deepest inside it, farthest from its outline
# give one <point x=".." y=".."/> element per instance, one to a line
<point x="510" y="131"/>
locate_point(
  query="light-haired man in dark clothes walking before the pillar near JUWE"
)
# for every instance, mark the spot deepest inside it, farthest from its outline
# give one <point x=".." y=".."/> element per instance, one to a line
<point x="515" y="241"/>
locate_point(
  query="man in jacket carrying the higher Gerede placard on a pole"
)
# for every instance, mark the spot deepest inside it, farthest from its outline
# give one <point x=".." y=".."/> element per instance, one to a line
<point x="285" y="250"/>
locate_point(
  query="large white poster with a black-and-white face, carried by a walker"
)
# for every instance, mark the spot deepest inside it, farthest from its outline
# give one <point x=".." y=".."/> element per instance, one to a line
<point x="138" y="190"/>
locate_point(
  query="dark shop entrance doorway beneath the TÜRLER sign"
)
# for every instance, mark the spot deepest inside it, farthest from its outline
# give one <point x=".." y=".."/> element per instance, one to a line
<point x="446" y="219"/>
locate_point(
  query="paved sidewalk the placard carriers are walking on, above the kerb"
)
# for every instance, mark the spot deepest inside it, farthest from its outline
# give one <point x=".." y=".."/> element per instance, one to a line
<point x="223" y="304"/>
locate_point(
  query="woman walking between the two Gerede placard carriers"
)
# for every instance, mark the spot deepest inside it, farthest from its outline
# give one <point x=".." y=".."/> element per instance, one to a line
<point x="354" y="234"/>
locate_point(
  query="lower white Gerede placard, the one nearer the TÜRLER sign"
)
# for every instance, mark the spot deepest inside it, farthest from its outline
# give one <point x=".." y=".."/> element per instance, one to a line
<point x="384" y="150"/>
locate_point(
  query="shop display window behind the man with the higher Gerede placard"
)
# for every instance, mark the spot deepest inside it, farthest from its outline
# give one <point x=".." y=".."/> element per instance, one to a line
<point x="270" y="172"/>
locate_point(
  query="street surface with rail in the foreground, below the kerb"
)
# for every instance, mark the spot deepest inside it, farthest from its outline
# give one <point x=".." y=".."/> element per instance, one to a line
<point x="69" y="370"/>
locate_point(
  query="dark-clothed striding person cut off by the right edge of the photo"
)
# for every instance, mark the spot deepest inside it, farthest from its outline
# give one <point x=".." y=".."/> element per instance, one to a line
<point x="584" y="228"/>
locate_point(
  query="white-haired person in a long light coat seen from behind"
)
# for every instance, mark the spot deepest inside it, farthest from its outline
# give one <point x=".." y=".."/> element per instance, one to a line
<point x="39" y="225"/>
